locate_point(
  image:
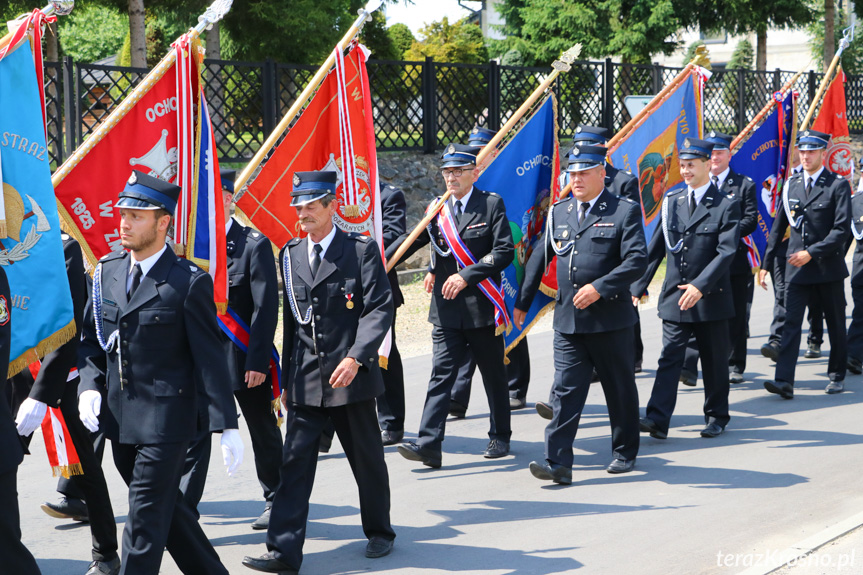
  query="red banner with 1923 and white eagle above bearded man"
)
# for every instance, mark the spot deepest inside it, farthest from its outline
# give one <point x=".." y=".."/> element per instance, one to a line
<point x="144" y="138"/>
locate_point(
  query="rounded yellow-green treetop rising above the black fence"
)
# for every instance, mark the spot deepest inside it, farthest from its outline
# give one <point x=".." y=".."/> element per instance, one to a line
<point x="444" y="42"/>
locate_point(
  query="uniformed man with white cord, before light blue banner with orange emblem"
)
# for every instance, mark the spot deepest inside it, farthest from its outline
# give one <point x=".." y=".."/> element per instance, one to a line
<point x="698" y="234"/>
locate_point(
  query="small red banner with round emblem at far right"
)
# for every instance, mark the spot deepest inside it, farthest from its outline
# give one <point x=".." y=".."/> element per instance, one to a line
<point x="832" y="119"/>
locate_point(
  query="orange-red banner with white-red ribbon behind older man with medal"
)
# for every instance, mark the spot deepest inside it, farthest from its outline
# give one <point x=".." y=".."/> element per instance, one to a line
<point x="314" y="143"/>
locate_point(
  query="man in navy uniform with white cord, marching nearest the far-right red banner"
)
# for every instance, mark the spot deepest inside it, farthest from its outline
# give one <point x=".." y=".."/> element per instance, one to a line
<point x="817" y="209"/>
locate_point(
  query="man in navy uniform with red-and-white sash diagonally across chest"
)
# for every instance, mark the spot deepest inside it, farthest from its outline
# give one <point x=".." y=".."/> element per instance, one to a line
<point x="461" y="314"/>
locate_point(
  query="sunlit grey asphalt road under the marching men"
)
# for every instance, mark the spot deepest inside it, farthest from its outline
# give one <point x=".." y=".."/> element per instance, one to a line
<point x="783" y="472"/>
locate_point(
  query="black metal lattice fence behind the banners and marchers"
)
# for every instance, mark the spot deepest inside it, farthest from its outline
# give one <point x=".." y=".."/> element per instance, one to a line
<point x="417" y="105"/>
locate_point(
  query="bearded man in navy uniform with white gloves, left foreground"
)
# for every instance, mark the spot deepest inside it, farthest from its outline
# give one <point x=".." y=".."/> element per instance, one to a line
<point x="150" y="338"/>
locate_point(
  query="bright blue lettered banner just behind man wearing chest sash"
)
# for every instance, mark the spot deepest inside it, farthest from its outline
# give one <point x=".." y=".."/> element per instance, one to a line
<point x="524" y="174"/>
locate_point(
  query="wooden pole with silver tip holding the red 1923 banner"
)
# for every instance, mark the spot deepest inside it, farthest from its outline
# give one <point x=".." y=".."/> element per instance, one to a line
<point x="213" y="14"/>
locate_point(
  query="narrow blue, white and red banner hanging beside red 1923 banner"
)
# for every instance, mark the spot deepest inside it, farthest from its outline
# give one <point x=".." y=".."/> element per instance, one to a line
<point x="207" y="215"/>
